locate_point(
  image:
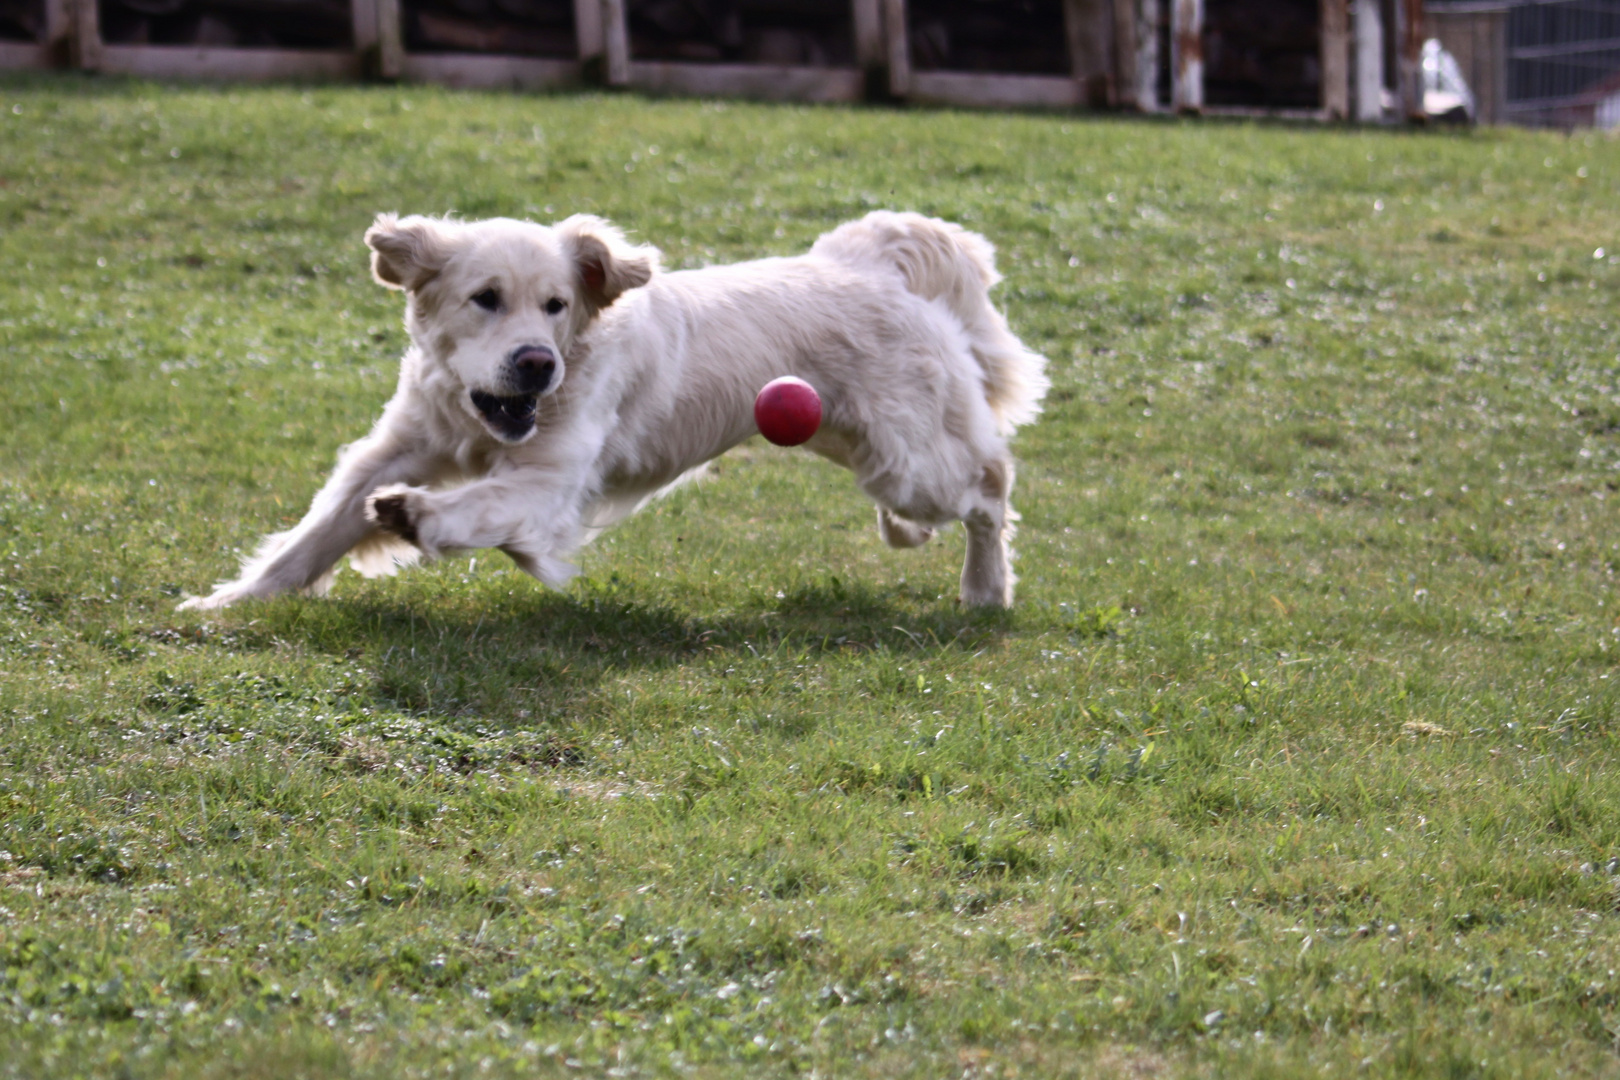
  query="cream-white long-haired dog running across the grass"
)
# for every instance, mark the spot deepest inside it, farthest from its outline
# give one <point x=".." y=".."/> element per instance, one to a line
<point x="558" y="380"/>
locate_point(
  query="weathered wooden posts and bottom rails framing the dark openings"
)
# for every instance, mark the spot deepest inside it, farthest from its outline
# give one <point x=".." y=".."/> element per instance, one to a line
<point x="1112" y="48"/>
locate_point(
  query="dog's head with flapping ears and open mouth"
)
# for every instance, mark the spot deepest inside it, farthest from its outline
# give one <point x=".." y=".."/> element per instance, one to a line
<point x="500" y="304"/>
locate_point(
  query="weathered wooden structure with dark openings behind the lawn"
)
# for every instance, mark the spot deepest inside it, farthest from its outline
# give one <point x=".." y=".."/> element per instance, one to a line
<point x="1308" y="59"/>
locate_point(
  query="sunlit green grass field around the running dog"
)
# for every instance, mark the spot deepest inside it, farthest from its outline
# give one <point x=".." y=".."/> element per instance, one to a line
<point x="1295" y="759"/>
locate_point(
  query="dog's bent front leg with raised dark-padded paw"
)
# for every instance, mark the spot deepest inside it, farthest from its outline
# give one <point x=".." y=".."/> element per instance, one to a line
<point x="532" y="514"/>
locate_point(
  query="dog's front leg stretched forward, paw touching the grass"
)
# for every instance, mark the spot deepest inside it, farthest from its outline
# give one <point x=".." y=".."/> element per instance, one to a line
<point x="304" y="558"/>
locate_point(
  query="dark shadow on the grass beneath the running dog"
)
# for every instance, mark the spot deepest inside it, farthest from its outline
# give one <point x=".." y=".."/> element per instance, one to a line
<point x="547" y="657"/>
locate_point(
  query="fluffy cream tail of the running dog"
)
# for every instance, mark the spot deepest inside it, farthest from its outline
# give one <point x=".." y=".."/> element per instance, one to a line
<point x="944" y="261"/>
